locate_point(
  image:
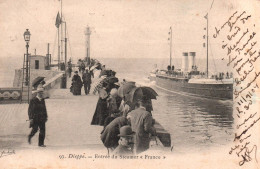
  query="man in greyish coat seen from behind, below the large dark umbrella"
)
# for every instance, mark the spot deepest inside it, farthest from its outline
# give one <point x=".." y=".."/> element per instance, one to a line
<point x="142" y="124"/>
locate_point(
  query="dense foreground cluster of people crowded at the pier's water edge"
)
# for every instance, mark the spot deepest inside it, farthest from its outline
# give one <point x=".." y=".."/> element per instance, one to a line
<point x="128" y="125"/>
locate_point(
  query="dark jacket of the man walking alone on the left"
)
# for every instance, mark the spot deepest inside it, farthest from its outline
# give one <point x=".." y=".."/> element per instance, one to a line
<point x="37" y="110"/>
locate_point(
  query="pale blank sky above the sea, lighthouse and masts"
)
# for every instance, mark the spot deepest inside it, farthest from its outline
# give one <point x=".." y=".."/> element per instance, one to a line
<point x="128" y="29"/>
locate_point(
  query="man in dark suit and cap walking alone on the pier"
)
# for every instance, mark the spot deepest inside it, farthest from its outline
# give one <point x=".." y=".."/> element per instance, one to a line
<point x="38" y="117"/>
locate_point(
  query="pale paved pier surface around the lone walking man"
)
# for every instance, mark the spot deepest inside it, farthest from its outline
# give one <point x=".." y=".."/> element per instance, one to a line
<point x="68" y="122"/>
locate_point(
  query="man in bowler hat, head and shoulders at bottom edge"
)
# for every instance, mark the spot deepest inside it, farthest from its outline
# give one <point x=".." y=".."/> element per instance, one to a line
<point x="125" y="142"/>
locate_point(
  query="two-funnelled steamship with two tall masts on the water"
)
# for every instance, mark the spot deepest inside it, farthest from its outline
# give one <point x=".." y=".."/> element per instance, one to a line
<point x="190" y="81"/>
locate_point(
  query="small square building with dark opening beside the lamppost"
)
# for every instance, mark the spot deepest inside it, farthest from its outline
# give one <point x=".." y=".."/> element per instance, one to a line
<point x="39" y="62"/>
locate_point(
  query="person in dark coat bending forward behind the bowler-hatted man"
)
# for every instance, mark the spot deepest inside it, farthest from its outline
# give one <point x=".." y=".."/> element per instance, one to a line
<point x="109" y="135"/>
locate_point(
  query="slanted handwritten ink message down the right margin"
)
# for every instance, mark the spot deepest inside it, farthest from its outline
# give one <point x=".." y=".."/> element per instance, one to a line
<point x="239" y="42"/>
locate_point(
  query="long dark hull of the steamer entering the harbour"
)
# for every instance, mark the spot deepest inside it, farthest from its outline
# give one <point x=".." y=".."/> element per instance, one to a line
<point x="182" y="86"/>
